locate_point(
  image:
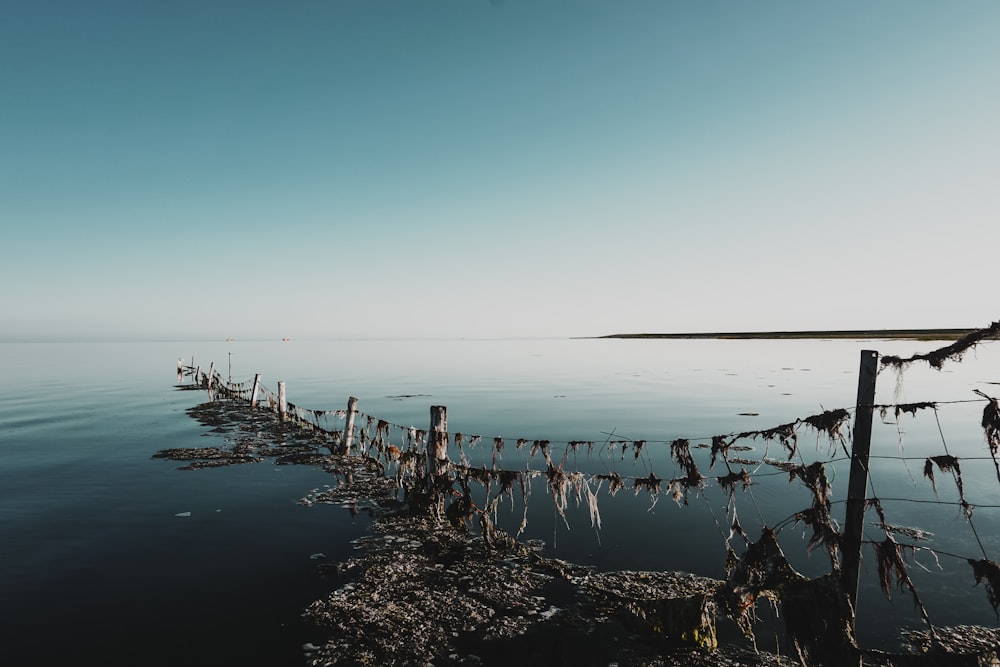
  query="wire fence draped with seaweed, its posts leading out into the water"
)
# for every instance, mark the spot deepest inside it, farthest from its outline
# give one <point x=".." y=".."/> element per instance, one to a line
<point x="404" y="452"/>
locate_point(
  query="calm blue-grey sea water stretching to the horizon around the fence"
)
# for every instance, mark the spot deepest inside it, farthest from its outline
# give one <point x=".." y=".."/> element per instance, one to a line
<point x="98" y="565"/>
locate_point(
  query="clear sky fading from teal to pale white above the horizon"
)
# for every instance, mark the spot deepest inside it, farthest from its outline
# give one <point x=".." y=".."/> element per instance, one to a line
<point x="509" y="168"/>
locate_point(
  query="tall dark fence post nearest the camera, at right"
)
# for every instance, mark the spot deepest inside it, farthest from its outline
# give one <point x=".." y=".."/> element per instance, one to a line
<point x="858" y="484"/>
